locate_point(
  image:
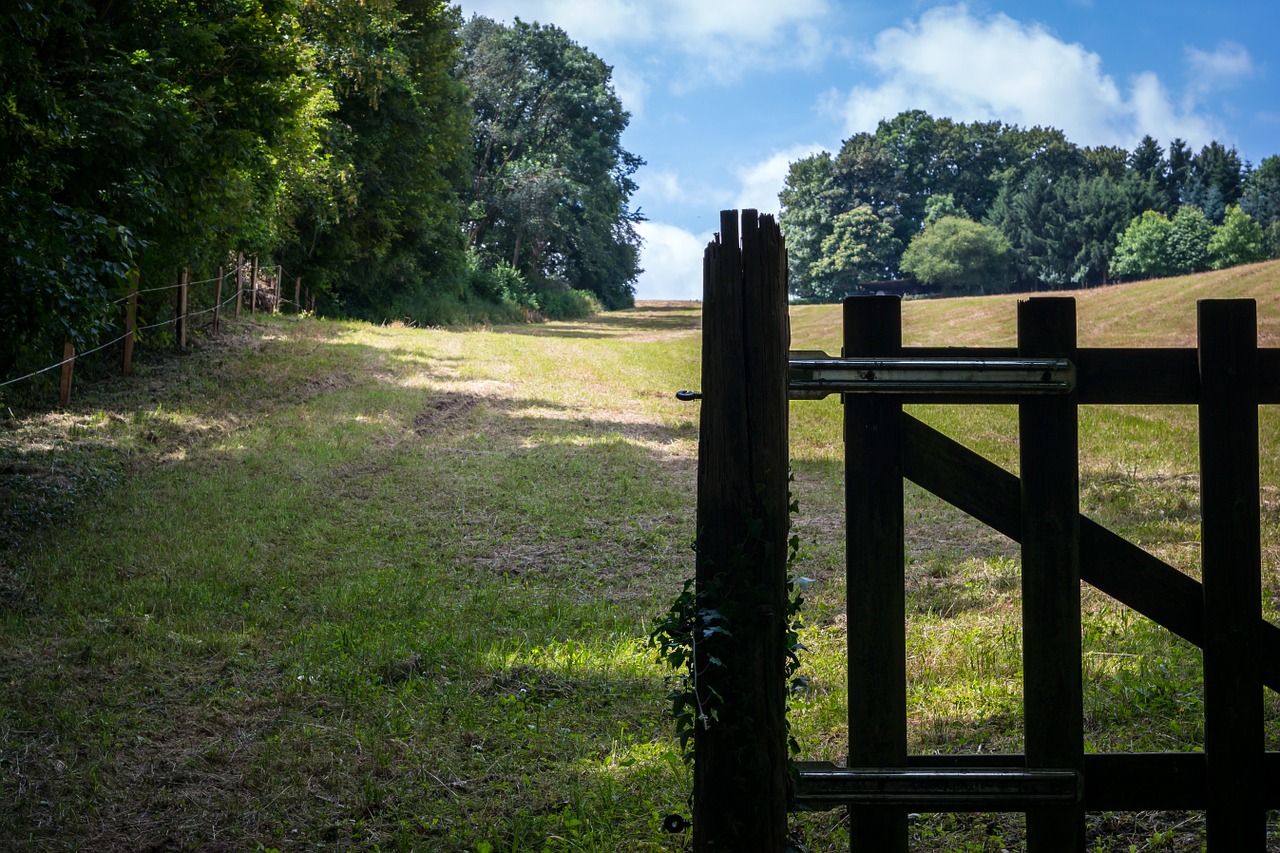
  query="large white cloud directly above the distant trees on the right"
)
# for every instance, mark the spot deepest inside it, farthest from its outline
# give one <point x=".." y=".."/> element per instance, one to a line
<point x="954" y="63"/>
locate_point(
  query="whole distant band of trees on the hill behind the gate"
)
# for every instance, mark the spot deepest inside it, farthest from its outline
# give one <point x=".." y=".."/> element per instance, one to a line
<point x="988" y="207"/>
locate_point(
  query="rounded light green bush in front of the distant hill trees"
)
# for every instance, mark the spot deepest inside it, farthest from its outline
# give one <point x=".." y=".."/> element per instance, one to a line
<point x="961" y="256"/>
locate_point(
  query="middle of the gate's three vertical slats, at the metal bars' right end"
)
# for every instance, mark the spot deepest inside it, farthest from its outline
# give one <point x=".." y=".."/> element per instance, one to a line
<point x="1053" y="682"/>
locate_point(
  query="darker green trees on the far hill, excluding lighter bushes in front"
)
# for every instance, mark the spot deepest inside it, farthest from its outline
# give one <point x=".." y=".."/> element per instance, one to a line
<point x="1062" y="208"/>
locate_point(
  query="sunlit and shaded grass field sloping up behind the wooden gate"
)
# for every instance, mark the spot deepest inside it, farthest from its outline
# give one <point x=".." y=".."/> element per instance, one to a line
<point x="332" y="586"/>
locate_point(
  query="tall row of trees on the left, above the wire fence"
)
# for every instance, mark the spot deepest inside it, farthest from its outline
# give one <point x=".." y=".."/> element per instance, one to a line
<point x="403" y="161"/>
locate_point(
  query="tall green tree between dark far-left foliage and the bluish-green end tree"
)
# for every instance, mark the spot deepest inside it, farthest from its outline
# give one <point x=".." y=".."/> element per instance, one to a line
<point x="376" y="220"/>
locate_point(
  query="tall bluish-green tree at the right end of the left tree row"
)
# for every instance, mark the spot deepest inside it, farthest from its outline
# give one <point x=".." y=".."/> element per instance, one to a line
<point x="550" y="184"/>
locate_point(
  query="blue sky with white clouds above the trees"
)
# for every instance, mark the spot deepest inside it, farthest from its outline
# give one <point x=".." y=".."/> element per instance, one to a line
<point x="724" y="95"/>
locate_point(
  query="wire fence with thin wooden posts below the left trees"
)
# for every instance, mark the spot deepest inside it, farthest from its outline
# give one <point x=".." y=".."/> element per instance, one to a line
<point x="262" y="291"/>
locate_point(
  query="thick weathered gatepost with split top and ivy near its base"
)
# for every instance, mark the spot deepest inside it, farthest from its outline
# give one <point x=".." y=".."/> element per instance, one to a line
<point x="740" y="772"/>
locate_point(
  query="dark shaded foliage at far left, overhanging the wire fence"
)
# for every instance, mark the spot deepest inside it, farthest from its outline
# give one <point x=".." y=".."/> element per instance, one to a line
<point x="138" y="135"/>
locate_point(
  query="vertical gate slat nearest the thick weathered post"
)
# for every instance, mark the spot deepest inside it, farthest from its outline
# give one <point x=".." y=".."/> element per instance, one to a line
<point x="876" y="580"/>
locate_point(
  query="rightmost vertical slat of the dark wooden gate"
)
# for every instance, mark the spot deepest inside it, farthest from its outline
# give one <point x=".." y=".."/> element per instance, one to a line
<point x="1232" y="580"/>
